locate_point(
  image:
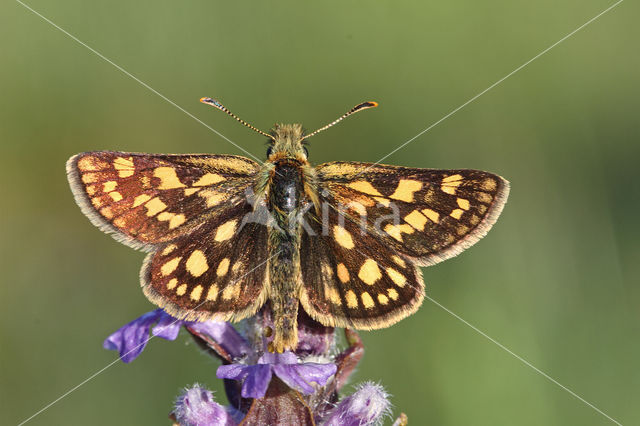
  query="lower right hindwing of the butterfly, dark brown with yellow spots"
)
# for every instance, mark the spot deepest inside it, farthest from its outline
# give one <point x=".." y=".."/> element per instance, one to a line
<point x="350" y="278"/>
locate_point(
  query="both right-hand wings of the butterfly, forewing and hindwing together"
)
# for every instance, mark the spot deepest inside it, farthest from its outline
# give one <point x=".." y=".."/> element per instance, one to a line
<point x="360" y="269"/>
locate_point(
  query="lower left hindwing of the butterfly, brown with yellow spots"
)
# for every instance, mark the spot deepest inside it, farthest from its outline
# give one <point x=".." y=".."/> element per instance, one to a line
<point x="216" y="272"/>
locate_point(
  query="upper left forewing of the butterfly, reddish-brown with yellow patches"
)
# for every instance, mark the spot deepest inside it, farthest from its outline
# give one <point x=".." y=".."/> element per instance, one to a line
<point x="147" y="199"/>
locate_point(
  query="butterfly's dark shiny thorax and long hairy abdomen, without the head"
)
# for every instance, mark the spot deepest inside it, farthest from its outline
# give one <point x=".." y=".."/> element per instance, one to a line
<point x="286" y="196"/>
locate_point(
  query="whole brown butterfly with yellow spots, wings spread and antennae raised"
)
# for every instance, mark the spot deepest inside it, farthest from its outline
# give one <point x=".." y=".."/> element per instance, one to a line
<point x="225" y="234"/>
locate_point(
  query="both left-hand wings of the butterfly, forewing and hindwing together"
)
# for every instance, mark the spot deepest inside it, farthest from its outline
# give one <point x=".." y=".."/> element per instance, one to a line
<point x="190" y="212"/>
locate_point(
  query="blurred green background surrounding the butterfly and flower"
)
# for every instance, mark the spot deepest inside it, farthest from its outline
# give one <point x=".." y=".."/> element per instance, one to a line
<point x="555" y="281"/>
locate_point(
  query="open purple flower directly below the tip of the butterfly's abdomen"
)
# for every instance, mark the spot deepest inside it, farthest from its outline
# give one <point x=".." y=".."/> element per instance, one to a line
<point x="296" y="375"/>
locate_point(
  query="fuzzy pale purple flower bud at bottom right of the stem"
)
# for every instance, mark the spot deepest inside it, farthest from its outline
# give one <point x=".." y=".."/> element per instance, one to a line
<point x="367" y="405"/>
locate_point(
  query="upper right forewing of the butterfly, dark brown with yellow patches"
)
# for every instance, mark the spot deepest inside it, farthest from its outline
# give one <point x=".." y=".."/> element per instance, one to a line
<point x="428" y="215"/>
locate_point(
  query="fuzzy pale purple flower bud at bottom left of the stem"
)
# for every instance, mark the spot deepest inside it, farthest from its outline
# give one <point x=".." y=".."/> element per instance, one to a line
<point x="196" y="407"/>
